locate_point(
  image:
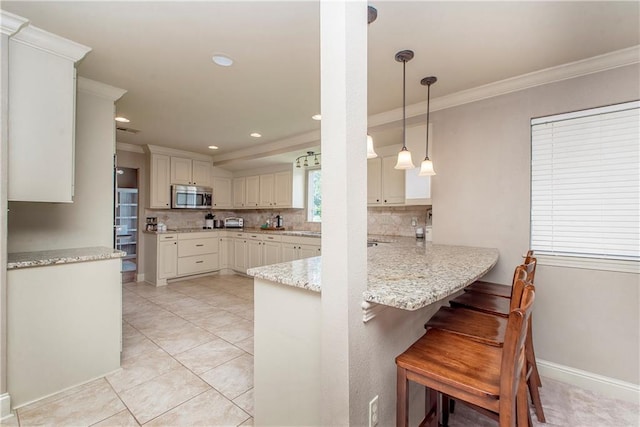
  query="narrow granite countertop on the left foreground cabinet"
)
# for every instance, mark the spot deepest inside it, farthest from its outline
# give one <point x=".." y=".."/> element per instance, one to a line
<point x="60" y="256"/>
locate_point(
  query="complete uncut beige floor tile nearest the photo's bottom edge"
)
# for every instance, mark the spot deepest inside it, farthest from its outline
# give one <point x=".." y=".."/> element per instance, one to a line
<point x="152" y="398"/>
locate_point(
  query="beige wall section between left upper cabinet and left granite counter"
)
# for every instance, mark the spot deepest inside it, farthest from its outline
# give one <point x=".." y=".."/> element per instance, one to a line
<point x="88" y="221"/>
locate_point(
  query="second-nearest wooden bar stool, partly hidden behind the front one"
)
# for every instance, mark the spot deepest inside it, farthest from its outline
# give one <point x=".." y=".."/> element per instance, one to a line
<point x="482" y="317"/>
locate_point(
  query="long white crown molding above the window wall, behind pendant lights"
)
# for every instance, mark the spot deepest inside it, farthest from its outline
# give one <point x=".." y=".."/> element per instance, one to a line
<point x="596" y="64"/>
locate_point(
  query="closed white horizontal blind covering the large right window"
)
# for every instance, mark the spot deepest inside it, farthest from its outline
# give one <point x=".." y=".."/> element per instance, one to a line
<point x="585" y="183"/>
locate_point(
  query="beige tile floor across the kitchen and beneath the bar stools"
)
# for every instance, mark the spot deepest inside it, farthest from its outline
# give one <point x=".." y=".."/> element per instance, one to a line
<point x="188" y="361"/>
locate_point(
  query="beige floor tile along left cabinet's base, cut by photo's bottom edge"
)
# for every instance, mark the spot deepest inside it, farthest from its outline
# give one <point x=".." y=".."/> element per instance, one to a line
<point x="88" y="406"/>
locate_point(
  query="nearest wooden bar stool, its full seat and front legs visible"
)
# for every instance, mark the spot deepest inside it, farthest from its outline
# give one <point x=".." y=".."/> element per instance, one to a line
<point x="490" y="379"/>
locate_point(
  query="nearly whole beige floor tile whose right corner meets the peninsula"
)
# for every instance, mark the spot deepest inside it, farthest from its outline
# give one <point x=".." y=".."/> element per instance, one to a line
<point x="232" y="378"/>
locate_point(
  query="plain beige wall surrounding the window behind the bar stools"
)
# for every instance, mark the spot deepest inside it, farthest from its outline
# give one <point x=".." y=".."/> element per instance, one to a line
<point x="583" y="319"/>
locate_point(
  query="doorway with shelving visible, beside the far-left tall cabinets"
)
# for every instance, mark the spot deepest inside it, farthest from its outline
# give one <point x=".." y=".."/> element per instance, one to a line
<point x="126" y="221"/>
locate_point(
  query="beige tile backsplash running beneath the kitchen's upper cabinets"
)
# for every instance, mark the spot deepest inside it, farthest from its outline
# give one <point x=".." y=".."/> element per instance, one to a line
<point x="390" y="221"/>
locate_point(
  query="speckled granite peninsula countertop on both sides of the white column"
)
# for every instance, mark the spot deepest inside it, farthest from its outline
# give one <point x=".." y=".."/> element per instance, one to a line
<point x="402" y="272"/>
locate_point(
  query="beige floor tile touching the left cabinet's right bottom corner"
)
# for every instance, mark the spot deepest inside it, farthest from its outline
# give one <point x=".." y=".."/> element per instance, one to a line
<point x="143" y="367"/>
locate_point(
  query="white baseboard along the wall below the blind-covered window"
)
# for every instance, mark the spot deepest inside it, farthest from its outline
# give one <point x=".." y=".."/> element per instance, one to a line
<point x="607" y="386"/>
